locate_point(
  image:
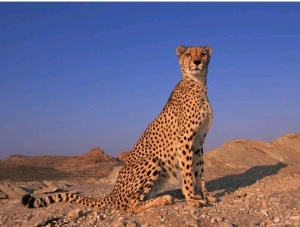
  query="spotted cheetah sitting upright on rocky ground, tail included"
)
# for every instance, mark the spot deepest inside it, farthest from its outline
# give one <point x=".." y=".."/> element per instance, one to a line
<point x="172" y="145"/>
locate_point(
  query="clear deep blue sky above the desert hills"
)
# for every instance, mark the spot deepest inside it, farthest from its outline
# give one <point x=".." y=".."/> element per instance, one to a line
<point x="74" y="76"/>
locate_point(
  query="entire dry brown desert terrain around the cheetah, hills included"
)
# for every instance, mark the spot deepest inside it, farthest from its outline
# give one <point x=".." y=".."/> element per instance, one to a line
<point x="256" y="183"/>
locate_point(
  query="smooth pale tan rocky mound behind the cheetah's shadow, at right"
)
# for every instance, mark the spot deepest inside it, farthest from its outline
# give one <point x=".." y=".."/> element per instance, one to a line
<point x="243" y="153"/>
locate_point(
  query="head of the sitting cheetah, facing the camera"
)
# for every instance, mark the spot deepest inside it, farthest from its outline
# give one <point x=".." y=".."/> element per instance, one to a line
<point x="194" y="61"/>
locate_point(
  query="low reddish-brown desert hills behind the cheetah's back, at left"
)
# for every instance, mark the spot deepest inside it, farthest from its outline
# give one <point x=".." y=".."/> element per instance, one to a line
<point x="91" y="165"/>
